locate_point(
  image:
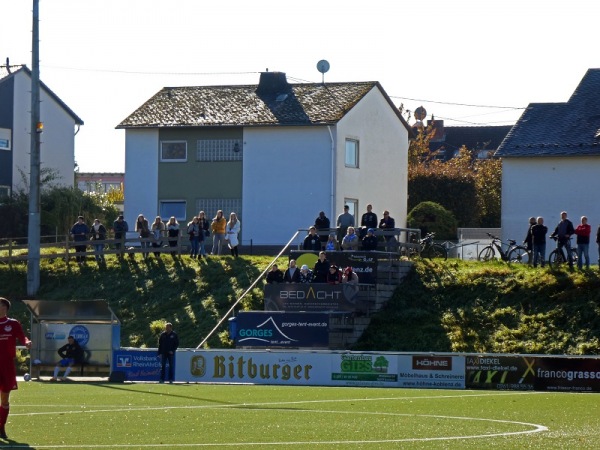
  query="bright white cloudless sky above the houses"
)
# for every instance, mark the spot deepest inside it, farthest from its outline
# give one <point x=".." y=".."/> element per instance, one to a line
<point x="468" y="62"/>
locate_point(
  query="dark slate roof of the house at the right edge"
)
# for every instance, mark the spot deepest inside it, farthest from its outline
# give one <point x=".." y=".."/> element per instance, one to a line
<point x="559" y="129"/>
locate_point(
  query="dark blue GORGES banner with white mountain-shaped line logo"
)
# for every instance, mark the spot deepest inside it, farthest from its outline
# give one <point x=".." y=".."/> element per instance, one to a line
<point x="281" y="329"/>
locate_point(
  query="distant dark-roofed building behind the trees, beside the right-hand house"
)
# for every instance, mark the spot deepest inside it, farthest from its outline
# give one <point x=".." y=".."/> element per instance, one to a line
<point x="483" y="141"/>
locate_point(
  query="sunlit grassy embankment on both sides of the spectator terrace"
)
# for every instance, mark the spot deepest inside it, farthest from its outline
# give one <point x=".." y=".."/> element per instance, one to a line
<point x="442" y="306"/>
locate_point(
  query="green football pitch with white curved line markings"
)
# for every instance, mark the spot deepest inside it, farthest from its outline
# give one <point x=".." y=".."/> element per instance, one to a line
<point x="81" y="415"/>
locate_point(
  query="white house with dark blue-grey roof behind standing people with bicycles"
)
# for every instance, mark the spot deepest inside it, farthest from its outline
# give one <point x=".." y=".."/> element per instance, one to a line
<point x="551" y="163"/>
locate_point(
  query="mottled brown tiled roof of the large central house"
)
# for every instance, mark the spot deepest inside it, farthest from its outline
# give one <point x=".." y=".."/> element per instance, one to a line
<point x="297" y="104"/>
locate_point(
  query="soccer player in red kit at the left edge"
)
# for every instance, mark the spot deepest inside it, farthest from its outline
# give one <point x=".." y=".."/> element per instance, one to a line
<point x="10" y="331"/>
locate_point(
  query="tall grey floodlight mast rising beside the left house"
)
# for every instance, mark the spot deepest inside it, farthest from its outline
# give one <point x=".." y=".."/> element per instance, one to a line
<point x="33" y="230"/>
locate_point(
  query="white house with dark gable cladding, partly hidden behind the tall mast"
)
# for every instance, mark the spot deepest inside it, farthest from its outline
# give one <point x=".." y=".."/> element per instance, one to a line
<point x="58" y="139"/>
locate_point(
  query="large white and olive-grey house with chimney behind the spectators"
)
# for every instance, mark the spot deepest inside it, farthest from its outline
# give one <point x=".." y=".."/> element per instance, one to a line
<point x="275" y="153"/>
